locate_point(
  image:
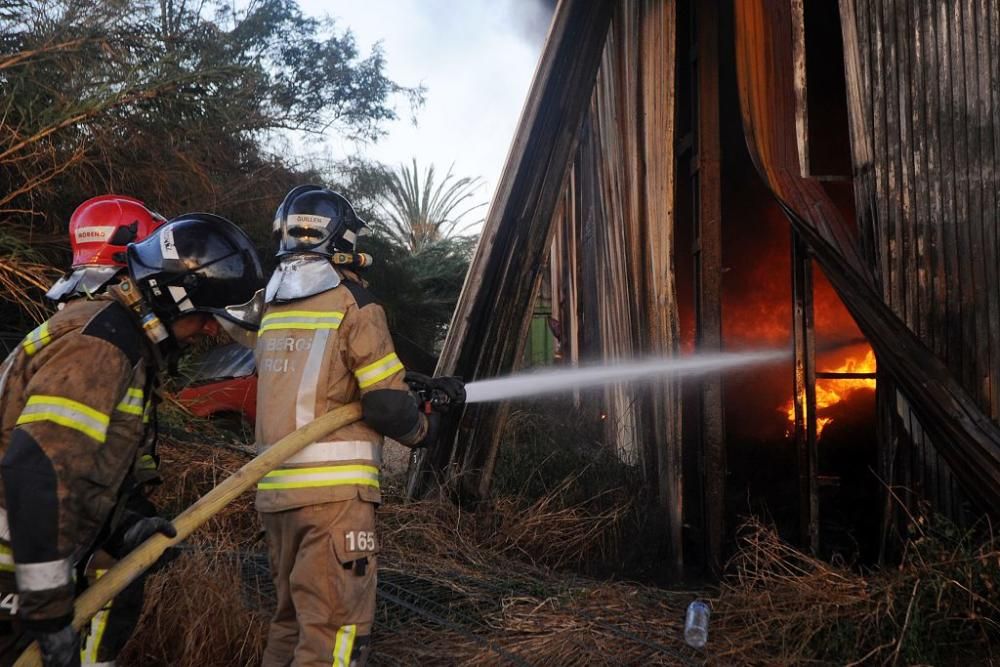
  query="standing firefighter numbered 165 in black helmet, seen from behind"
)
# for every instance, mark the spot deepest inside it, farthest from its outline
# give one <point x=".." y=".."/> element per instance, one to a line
<point x="325" y="343"/>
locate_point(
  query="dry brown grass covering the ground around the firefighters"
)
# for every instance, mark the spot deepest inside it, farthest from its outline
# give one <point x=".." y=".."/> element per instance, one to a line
<point x="498" y="587"/>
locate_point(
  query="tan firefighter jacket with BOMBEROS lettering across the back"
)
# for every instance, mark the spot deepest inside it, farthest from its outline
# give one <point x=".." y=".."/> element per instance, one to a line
<point x="316" y="354"/>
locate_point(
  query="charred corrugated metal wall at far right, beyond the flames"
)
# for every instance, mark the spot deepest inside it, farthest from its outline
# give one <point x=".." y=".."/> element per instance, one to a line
<point x="924" y="109"/>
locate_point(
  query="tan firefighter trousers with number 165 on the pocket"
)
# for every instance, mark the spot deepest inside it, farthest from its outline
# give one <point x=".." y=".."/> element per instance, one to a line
<point x="323" y="560"/>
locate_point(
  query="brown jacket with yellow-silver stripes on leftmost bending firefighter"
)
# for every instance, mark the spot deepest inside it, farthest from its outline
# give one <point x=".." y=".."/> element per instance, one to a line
<point x="75" y="408"/>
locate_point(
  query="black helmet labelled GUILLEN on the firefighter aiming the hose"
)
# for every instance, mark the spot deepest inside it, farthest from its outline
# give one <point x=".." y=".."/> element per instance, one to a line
<point x="316" y="220"/>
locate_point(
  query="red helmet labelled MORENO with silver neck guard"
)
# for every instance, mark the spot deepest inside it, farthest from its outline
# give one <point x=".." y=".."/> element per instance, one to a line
<point x="99" y="230"/>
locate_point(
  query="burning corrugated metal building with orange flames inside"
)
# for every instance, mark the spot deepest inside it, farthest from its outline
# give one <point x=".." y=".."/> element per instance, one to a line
<point x="705" y="176"/>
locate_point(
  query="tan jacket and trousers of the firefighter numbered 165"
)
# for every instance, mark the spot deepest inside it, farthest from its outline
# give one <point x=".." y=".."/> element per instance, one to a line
<point x="316" y="354"/>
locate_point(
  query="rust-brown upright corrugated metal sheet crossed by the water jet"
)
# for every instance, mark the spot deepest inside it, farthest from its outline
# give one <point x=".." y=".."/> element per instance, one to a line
<point x="611" y="256"/>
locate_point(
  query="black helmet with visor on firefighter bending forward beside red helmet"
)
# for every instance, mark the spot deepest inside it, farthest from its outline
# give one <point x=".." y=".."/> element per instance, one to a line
<point x="199" y="263"/>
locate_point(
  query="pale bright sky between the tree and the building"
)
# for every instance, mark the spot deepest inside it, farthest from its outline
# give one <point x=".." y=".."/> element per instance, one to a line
<point x="475" y="58"/>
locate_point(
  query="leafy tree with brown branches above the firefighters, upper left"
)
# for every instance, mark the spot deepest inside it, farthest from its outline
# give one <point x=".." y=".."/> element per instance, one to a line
<point x="182" y="105"/>
